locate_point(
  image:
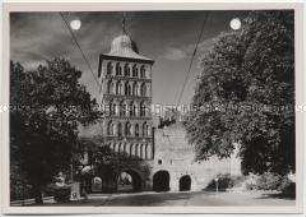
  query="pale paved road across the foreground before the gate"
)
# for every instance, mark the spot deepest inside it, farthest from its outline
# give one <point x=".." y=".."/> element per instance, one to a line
<point x="184" y="199"/>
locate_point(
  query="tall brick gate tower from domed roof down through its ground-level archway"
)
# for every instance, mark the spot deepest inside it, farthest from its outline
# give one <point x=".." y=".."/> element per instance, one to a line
<point x="128" y="128"/>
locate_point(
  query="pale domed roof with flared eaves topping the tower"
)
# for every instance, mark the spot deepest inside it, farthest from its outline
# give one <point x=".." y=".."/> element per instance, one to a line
<point x="123" y="46"/>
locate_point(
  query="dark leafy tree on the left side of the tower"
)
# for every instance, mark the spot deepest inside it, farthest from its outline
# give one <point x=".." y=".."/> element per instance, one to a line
<point x="47" y="104"/>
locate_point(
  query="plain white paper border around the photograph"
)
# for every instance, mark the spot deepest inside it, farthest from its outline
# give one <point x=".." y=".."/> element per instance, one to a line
<point x="90" y="7"/>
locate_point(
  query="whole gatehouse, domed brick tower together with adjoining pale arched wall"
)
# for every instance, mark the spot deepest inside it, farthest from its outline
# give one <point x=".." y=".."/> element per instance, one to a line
<point x="166" y="159"/>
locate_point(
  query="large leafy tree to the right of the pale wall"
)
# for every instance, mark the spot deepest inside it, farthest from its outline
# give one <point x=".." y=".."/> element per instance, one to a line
<point x="245" y="95"/>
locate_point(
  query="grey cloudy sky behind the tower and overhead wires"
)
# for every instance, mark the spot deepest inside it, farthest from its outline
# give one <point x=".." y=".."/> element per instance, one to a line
<point x="168" y="37"/>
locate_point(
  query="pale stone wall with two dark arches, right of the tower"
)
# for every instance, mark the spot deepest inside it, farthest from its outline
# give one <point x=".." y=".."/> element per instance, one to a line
<point x="174" y="154"/>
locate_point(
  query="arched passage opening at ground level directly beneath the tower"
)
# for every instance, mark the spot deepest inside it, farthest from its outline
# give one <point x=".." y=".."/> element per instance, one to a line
<point x="128" y="181"/>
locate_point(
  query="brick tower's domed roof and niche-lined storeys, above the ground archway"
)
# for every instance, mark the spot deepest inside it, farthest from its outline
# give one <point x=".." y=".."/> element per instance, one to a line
<point x="126" y="96"/>
